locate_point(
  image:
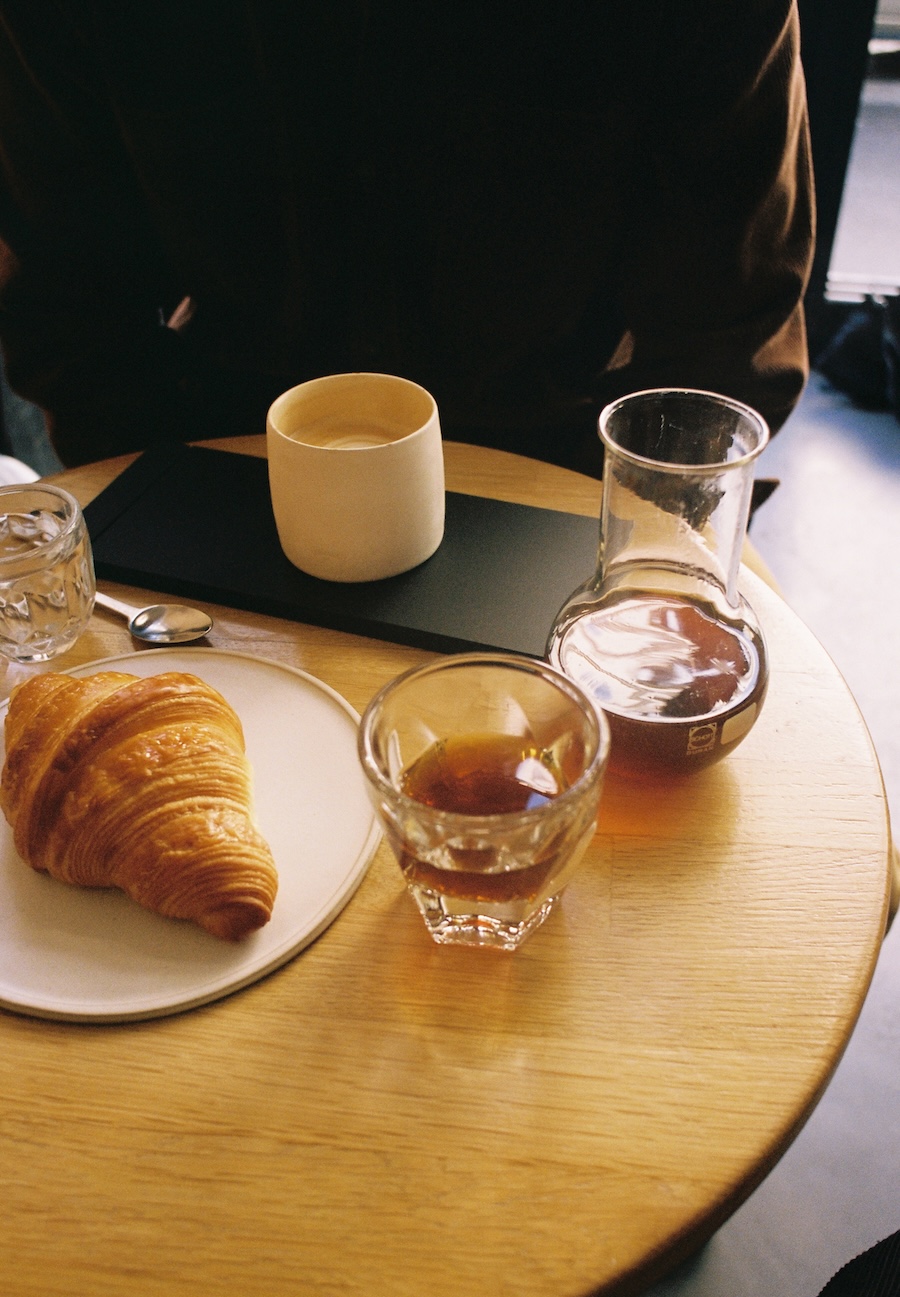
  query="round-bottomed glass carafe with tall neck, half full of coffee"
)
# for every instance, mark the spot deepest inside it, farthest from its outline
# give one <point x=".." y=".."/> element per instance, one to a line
<point x="661" y="639"/>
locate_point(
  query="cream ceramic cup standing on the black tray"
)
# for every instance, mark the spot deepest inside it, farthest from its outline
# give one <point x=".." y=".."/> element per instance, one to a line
<point x="356" y="471"/>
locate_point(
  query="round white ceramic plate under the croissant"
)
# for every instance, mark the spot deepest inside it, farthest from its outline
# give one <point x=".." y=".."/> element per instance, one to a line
<point x="97" y="957"/>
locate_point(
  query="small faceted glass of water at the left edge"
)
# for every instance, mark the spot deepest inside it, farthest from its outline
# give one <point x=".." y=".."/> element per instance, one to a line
<point x="47" y="583"/>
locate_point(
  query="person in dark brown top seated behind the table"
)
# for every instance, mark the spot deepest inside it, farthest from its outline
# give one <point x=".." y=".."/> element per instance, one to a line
<point x="530" y="209"/>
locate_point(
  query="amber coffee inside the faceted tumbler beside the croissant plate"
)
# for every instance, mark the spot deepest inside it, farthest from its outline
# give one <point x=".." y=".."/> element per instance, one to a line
<point x="482" y="775"/>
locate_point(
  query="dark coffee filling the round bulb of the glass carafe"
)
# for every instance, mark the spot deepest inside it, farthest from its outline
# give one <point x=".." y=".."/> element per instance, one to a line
<point x="679" y="687"/>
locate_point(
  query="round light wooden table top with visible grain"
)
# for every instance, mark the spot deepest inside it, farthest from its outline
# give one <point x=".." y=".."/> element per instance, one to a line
<point x="383" y="1116"/>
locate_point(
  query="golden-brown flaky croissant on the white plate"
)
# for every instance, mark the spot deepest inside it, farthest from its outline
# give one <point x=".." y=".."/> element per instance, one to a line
<point x="139" y="784"/>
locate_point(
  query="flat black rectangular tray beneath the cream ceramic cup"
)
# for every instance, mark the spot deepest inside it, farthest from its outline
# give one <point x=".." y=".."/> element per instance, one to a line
<point x="199" y="525"/>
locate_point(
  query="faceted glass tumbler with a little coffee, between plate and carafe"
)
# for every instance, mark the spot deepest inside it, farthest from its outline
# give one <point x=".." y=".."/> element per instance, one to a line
<point x="486" y="771"/>
